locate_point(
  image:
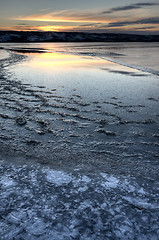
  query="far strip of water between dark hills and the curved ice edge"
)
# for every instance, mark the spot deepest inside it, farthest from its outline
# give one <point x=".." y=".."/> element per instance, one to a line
<point x="140" y="55"/>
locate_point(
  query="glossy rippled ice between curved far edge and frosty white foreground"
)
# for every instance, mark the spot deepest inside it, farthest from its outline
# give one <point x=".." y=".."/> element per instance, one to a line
<point x="71" y="107"/>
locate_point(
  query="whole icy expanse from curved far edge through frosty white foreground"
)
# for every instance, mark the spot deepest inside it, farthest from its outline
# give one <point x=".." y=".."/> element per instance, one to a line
<point x="85" y="118"/>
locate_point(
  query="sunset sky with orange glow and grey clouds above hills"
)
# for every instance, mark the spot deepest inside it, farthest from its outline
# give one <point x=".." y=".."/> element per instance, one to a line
<point x="124" y="16"/>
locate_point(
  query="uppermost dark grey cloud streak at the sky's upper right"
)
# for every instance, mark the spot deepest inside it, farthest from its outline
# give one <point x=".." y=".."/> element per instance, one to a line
<point x="130" y="7"/>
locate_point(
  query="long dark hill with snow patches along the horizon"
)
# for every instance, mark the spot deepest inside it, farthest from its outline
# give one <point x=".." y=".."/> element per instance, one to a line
<point x="16" y="36"/>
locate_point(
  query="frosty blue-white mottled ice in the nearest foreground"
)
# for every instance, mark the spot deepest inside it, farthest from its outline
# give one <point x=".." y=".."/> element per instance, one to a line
<point x="40" y="203"/>
